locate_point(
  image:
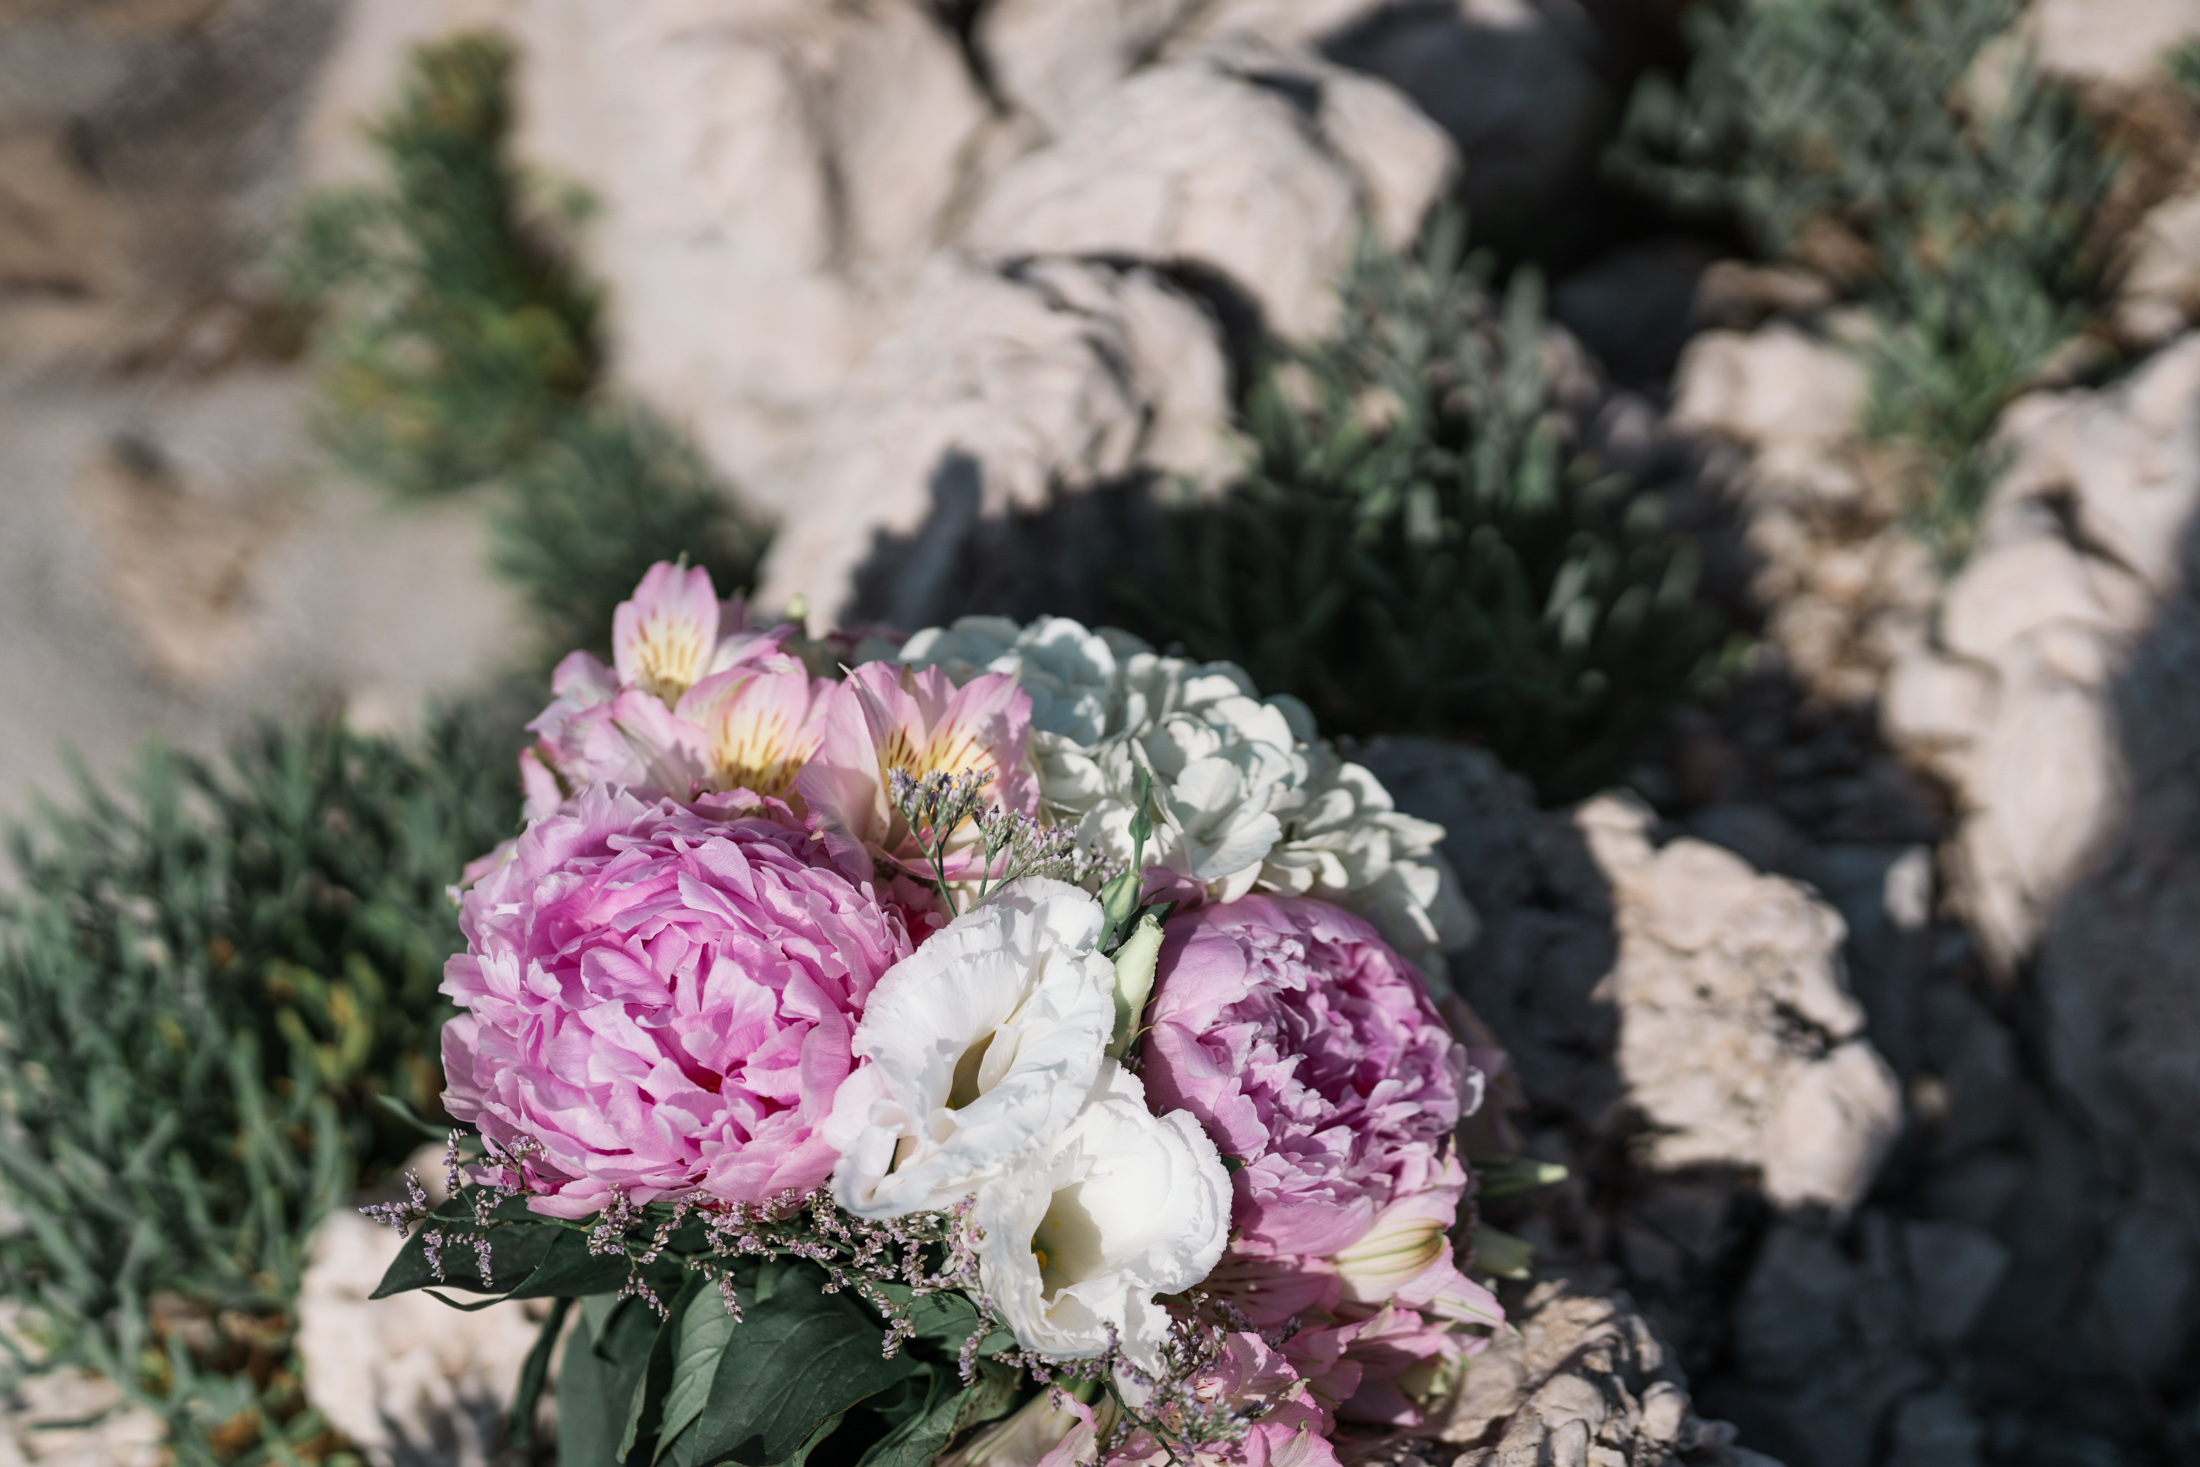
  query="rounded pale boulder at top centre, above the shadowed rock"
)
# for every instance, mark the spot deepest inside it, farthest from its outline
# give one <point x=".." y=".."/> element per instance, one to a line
<point x="1240" y="159"/>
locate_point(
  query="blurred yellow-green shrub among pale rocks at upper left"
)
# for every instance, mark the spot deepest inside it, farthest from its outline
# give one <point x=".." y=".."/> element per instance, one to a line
<point x="461" y="346"/>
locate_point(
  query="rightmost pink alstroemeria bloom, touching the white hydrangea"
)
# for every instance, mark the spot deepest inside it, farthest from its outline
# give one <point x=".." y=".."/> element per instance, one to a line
<point x="916" y="720"/>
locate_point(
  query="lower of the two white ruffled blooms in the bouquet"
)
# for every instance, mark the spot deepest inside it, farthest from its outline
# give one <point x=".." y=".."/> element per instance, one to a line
<point x="1083" y="1237"/>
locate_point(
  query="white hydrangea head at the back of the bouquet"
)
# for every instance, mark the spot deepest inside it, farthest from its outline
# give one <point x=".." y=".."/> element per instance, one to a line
<point x="1246" y="797"/>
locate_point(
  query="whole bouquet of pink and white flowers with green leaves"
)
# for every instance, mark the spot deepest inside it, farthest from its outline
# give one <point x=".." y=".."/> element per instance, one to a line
<point x="1000" y="1046"/>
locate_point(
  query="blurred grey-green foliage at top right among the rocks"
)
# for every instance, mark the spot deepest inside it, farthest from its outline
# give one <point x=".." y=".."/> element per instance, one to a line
<point x="1961" y="186"/>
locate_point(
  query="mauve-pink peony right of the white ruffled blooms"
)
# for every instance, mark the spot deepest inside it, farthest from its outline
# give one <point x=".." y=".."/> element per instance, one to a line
<point x="1312" y="1057"/>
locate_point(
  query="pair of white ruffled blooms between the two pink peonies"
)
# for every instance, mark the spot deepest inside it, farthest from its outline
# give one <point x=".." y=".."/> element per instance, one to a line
<point x="989" y="1079"/>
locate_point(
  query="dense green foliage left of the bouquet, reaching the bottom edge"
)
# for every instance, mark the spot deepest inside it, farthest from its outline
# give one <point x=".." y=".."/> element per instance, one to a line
<point x="206" y="989"/>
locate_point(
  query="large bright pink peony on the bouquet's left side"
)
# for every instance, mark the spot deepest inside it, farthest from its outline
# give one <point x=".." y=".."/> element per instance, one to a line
<point x="661" y="997"/>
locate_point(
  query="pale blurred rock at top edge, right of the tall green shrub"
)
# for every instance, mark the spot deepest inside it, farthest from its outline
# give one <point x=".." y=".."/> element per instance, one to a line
<point x="773" y="175"/>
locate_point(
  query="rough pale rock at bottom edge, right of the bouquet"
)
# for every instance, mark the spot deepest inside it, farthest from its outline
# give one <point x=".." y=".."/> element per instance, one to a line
<point x="1583" y="1378"/>
